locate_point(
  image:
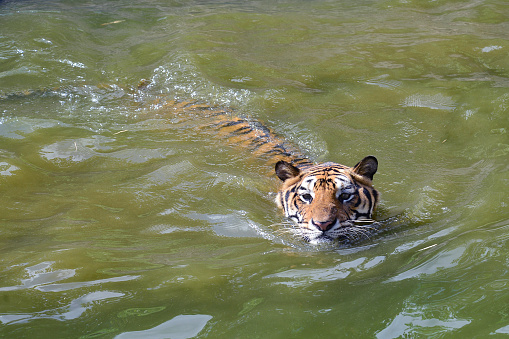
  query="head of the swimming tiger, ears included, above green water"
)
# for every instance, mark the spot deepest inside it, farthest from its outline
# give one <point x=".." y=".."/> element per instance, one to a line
<point x="328" y="201"/>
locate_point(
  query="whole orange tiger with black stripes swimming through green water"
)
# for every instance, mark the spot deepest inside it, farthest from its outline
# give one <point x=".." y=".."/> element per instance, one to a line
<point x="325" y="201"/>
